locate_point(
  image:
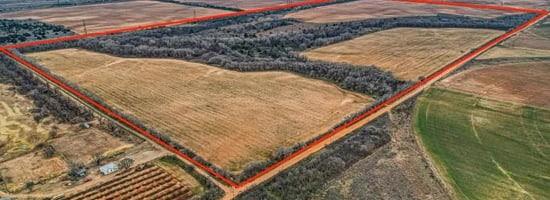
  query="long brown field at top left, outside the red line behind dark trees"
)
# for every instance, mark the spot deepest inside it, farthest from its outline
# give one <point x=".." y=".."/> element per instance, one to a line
<point x="112" y="15"/>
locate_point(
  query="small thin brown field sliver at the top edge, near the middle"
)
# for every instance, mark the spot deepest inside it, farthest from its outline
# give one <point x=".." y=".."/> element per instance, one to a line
<point x="243" y="4"/>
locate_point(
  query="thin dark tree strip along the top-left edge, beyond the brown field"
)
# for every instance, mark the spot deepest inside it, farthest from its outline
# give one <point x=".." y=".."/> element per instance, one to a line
<point x="17" y="5"/>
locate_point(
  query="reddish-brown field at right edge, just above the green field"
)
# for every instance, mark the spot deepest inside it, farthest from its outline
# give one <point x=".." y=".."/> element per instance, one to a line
<point x="525" y="83"/>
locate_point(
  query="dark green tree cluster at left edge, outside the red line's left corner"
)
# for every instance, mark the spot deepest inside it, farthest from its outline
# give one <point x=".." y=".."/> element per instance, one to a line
<point x="15" y="31"/>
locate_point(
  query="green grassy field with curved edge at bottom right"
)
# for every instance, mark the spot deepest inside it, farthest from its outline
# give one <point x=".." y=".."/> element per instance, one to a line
<point x="486" y="149"/>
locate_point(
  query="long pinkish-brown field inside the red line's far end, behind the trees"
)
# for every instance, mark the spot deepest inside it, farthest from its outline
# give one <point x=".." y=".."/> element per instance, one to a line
<point x="367" y="9"/>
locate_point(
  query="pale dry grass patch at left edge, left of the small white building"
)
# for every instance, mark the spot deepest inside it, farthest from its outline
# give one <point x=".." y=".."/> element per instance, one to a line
<point x="31" y="167"/>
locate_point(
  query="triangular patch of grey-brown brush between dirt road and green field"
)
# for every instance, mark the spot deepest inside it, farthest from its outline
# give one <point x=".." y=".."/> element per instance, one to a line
<point x="307" y="178"/>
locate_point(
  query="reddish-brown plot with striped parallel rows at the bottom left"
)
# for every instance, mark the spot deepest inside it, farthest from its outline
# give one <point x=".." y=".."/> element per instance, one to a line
<point x="147" y="182"/>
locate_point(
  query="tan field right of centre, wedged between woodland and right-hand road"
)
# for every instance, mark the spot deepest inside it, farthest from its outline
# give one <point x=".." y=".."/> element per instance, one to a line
<point x="409" y="53"/>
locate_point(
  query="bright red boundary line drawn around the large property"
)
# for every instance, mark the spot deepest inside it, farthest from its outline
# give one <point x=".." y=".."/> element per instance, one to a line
<point x="455" y="64"/>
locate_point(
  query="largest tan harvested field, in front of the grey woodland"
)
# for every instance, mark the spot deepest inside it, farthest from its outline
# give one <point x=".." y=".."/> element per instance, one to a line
<point x="229" y="118"/>
